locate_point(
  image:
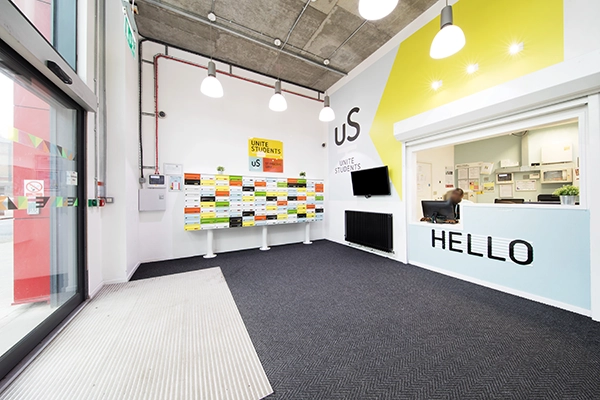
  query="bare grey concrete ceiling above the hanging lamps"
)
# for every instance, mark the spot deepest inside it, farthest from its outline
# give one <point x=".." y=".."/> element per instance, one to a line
<point x="245" y="31"/>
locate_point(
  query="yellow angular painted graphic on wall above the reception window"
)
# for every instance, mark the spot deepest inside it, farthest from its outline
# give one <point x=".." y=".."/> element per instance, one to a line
<point x="490" y="28"/>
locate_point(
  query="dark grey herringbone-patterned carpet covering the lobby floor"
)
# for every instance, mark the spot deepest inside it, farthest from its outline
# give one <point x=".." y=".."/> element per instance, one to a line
<point x="332" y="322"/>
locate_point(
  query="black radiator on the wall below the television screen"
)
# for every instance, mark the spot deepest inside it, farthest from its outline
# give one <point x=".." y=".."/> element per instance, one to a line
<point x="370" y="229"/>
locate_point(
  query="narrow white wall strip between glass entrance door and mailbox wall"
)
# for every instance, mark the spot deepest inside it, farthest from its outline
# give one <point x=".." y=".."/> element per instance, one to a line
<point x="119" y="244"/>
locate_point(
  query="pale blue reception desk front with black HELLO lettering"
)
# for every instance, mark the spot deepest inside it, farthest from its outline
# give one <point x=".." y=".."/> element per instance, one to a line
<point x="538" y="252"/>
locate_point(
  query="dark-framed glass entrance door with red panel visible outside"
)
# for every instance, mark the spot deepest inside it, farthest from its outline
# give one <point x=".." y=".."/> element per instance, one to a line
<point x="41" y="231"/>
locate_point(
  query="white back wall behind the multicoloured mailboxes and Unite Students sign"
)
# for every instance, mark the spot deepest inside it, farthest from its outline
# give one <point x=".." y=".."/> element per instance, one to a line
<point x="202" y="133"/>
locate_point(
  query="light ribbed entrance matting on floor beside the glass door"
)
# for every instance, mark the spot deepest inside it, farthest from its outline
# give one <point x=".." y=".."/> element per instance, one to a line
<point x="173" y="337"/>
